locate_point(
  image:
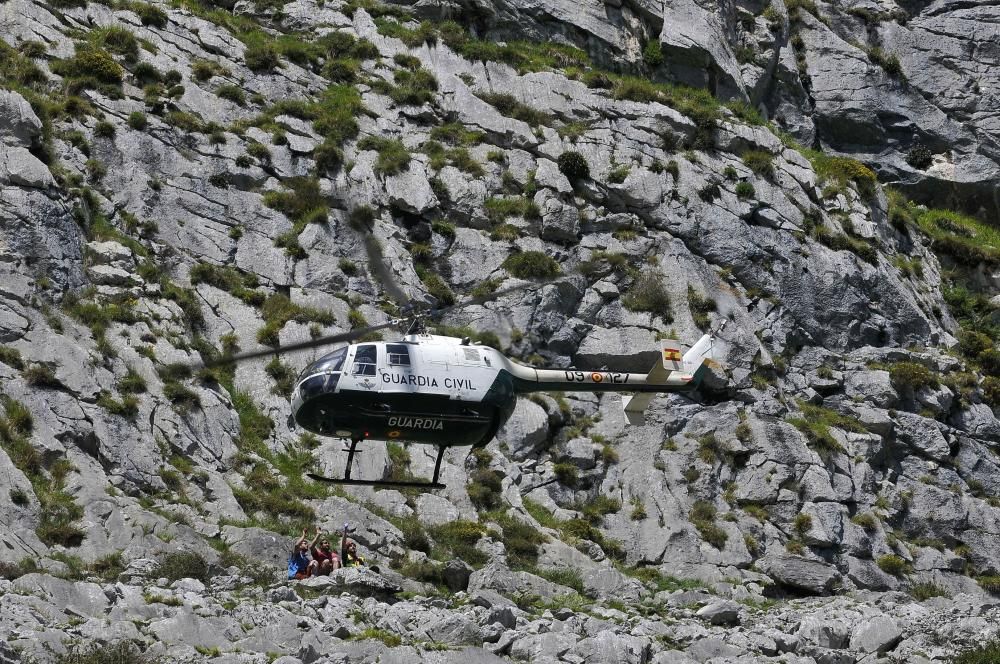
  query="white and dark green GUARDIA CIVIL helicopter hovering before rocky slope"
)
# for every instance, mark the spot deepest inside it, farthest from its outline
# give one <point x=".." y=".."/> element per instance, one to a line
<point x="449" y="392"/>
